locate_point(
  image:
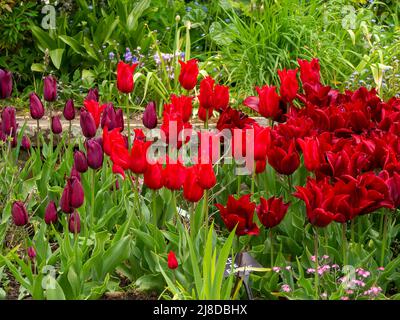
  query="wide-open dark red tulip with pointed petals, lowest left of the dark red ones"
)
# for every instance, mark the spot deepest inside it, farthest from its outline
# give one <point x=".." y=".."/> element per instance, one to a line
<point x="239" y="213"/>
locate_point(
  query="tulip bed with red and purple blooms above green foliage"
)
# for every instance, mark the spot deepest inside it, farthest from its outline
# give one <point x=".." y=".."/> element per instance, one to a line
<point x="287" y="191"/>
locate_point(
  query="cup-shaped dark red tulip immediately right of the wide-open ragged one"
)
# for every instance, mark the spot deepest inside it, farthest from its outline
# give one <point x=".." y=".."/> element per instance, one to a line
<point x="271" y="211"/>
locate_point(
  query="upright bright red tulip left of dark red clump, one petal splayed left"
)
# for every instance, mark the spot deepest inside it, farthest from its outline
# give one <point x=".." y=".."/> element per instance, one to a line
<point x="269" y="101"/>
